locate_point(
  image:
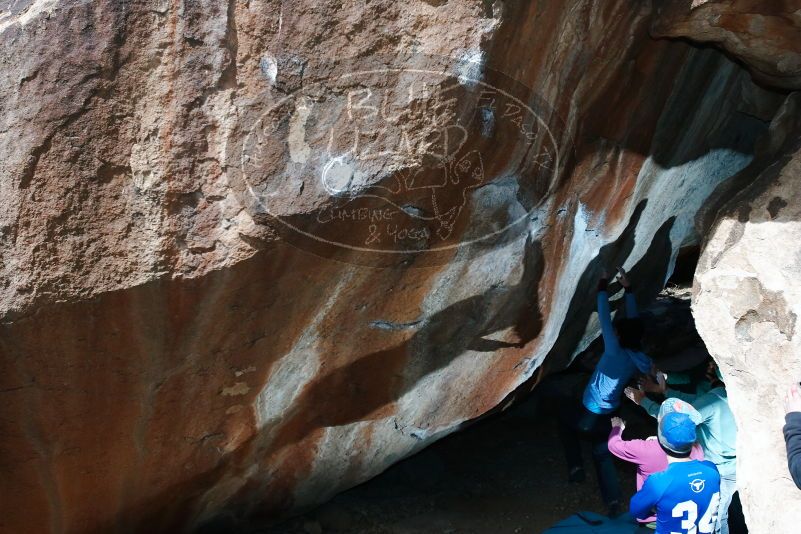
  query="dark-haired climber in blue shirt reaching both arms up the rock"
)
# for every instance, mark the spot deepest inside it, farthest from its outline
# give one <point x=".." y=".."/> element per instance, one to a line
<point x="621" y="359"/>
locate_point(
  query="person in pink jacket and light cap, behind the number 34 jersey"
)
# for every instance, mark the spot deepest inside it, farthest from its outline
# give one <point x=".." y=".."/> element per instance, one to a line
<point x="647" y="454"/>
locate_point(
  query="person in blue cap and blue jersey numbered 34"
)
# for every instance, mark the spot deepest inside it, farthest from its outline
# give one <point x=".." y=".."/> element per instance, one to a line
<point x="686" y="495"/>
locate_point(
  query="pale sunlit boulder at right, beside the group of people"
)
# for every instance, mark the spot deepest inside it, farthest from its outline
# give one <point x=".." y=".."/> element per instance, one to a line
<point x="747" y="306"/>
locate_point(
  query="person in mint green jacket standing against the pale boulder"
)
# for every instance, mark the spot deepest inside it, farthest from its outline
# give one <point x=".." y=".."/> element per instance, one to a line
<point x="717" y="432"/>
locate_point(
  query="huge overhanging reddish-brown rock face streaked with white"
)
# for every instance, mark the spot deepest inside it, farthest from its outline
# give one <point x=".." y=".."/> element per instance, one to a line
<point x="234" y="282"/>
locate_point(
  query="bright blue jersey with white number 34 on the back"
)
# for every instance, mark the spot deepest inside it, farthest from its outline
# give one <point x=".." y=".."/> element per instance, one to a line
<point x="686" y="497"/>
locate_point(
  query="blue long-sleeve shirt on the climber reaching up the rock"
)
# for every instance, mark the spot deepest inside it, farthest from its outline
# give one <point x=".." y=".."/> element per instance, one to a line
<point x="617" y="365"/>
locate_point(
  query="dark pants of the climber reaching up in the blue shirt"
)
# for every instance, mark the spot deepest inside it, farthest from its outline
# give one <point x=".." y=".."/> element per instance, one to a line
<point x="576" y="423"/>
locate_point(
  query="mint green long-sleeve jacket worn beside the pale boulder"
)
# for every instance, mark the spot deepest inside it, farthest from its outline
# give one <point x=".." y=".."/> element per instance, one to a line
<point x="717" y="432"/>
